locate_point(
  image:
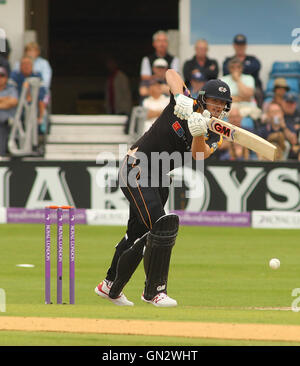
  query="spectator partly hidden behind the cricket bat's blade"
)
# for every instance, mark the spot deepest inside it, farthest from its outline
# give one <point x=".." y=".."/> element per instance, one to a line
<point x="230" y="150"/>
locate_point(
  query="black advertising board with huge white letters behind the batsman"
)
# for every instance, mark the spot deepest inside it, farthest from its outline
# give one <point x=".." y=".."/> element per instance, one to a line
<point x="224" y="186"/>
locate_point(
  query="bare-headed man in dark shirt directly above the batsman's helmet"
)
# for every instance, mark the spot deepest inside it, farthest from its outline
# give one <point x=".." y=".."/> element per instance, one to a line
<point x="201" y="63"/>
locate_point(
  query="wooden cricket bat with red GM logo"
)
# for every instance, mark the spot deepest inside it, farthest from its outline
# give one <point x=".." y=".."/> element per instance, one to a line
<point x="243" y="137"/>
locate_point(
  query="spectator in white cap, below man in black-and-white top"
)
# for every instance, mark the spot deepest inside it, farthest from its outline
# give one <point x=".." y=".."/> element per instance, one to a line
<point x="159" y="68"/>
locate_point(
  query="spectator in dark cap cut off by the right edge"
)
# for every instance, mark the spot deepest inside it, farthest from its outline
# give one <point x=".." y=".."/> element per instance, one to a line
<point x="292" y="119"/>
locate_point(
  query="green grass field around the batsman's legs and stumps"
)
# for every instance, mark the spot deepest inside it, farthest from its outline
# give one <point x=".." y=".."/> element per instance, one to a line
<point x="215" y="275"/>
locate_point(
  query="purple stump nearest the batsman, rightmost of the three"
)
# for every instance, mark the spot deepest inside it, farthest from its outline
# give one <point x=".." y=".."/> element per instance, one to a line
<point x="72" y="254"/>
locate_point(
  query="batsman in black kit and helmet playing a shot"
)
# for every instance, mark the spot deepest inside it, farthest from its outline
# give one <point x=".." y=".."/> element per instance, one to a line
<point x="151" y="233"/>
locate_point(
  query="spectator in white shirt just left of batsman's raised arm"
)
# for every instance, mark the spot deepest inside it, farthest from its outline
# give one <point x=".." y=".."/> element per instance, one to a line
<point x="155" y="103"/>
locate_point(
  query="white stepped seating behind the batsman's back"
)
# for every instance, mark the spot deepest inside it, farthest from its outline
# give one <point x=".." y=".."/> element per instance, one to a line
<point x="78" y="137"/>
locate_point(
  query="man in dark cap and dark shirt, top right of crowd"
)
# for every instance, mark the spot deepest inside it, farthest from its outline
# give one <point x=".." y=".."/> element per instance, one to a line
<point x="251" y="65"/>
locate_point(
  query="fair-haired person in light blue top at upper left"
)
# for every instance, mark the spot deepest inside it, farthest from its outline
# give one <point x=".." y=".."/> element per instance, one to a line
<point x="40" y="65"/>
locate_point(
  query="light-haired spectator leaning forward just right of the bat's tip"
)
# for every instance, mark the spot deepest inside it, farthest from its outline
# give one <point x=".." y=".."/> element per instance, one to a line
<point x="276" y="130"/>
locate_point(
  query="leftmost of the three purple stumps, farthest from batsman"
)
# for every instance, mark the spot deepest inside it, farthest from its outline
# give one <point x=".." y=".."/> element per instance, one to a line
<point x="47" y="256"/>
